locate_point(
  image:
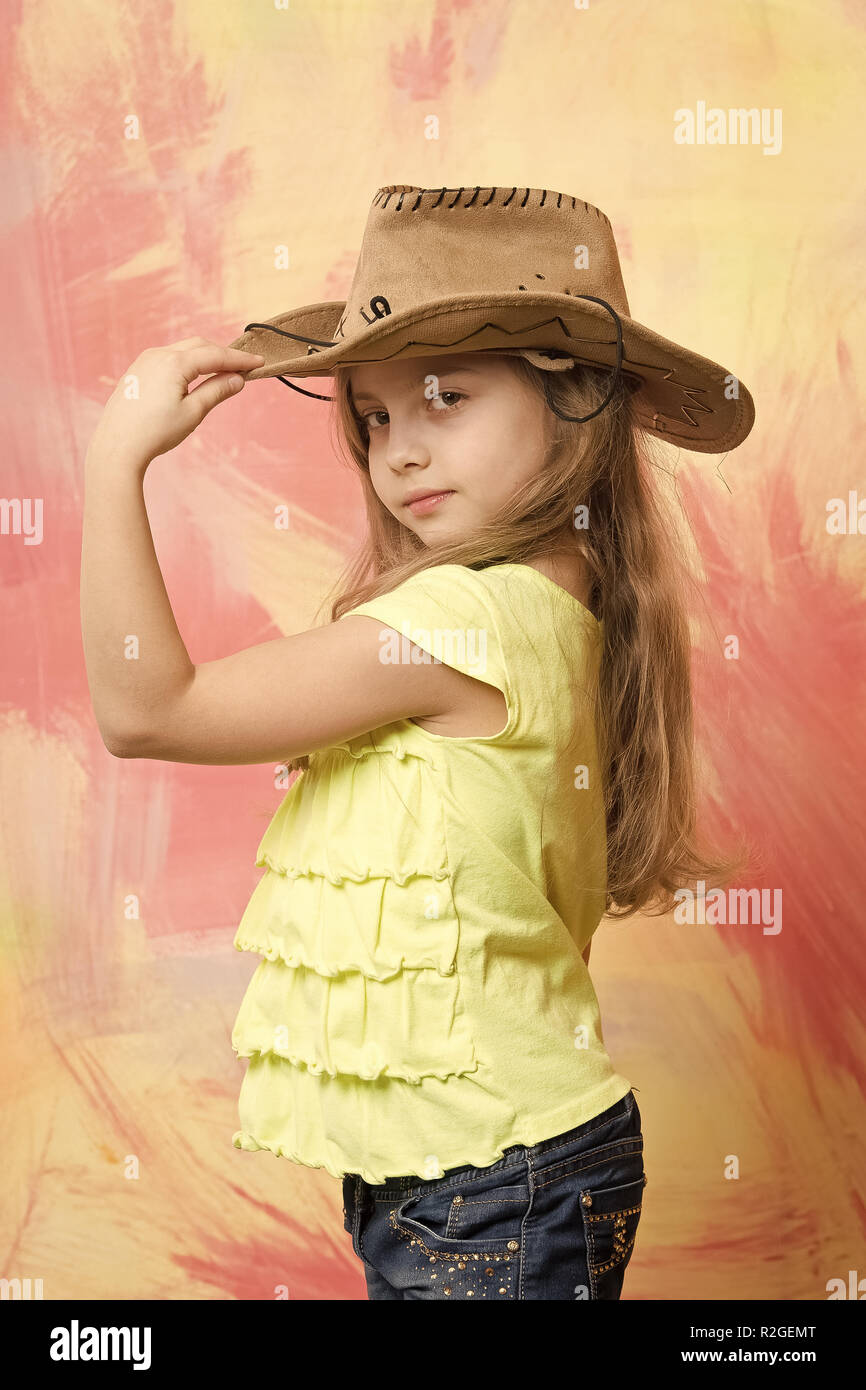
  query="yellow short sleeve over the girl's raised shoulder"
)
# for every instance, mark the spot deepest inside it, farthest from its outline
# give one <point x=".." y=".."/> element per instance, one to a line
<point x="450" y="612"/>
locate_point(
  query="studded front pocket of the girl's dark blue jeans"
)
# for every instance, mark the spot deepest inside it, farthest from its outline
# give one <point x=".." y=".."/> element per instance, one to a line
<point x="475" y="1220"/>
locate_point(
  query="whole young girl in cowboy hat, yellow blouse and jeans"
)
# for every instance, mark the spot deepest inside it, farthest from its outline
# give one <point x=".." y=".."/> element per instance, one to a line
<point x="494" y="733"/>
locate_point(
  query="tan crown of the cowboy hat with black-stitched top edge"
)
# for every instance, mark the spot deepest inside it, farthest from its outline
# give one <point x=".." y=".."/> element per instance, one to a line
<point x="426" y="245"/>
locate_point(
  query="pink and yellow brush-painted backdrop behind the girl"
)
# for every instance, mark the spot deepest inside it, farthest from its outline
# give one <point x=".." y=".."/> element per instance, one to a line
<point x="155" y="159"/>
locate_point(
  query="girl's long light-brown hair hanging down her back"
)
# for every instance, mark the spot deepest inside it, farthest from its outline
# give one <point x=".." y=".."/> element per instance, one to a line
<point x="639" y="584"/>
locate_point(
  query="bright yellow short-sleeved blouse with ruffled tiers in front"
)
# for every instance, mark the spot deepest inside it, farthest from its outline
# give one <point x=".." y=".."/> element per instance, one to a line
<point x="422" y="1001"/>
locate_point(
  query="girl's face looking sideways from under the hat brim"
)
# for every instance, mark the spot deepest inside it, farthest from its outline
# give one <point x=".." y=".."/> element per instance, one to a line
<point x="464" y="425"/>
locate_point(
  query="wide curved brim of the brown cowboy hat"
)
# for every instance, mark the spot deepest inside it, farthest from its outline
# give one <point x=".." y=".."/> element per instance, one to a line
<point x="683" y="397"/>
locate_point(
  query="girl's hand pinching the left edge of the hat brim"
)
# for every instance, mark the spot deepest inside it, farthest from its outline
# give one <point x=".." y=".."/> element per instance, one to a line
<point x="152" y="408"/>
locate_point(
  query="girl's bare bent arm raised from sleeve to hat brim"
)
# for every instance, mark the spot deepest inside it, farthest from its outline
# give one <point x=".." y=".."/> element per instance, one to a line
<point x="272" y="703"/>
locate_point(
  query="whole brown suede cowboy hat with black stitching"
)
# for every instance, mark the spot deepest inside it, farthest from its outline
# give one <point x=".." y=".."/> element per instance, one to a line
<point x="503" y="270"/>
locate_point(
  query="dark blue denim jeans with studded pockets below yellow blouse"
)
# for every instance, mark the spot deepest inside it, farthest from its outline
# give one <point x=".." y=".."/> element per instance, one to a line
<point x="555" y="1220"/>
